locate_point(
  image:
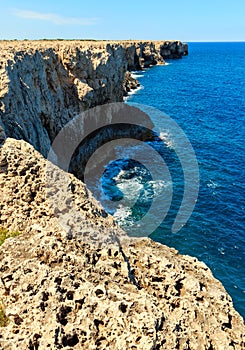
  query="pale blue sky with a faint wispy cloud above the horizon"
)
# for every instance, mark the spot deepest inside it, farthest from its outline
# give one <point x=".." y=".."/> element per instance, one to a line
<point x="185" y="20"/>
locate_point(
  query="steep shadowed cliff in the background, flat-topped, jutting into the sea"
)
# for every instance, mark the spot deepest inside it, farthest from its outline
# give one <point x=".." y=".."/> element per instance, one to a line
<point x="45" y="84"/>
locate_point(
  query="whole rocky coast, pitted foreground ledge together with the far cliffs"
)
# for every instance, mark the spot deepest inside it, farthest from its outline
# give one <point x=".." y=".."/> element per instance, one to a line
<point x="72" y="278"/>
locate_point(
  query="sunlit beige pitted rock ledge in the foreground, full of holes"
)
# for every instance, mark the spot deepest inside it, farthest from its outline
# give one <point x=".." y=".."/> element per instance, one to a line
<point x="96" y="288"/>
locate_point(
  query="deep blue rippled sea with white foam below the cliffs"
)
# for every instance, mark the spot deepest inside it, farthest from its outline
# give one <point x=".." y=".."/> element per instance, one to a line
<point x="205" y="94"/>
